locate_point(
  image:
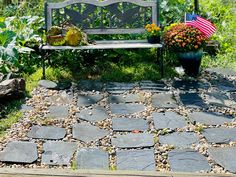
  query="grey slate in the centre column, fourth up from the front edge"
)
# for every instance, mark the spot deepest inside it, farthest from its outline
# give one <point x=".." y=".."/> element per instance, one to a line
<point x="126" y="108"/>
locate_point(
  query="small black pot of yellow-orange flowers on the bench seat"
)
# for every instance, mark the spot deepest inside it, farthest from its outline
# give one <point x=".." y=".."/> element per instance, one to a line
<point x="153" y="33"/>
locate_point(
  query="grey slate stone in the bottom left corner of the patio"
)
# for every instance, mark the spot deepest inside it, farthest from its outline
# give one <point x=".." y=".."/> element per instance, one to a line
<point x="19" y="152"/>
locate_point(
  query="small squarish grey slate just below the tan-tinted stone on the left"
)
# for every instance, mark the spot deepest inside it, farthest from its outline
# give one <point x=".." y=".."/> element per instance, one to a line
<point x="58" y="112"/>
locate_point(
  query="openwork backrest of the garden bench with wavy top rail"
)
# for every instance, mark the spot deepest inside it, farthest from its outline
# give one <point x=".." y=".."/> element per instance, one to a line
<point x="104" y="17"/>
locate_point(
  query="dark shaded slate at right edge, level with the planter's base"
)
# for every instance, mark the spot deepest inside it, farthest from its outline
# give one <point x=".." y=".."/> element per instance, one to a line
<point x="224" y="85"/>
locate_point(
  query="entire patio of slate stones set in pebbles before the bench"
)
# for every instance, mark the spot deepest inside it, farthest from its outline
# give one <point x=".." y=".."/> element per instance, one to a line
<point x="179" y="125"/>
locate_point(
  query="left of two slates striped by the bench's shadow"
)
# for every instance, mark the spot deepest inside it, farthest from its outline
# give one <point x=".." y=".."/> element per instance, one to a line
<point x="118" y="88"/>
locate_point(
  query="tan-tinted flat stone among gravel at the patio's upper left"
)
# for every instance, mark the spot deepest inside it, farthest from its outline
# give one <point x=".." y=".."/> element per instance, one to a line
<point x="61" y="98"/>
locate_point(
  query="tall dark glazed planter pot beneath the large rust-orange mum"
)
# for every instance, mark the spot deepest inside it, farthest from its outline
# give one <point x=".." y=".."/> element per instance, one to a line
<point x="191" y="62"/>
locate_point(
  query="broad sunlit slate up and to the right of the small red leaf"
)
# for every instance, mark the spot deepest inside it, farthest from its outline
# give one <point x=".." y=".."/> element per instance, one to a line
<point x="169" y="120"/>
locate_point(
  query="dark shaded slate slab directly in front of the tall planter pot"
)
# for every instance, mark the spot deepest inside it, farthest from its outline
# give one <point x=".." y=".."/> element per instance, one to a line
<point x="187" y="85"/>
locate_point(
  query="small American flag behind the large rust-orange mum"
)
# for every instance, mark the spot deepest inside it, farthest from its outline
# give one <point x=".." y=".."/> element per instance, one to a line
<point x="206" y="27"/>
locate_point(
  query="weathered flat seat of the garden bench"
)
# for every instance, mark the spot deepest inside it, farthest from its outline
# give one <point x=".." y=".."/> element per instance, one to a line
<point x="108" y="44"/>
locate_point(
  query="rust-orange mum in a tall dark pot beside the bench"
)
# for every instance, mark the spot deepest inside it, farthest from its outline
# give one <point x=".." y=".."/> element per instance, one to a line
<point x="187" y="42"/>
